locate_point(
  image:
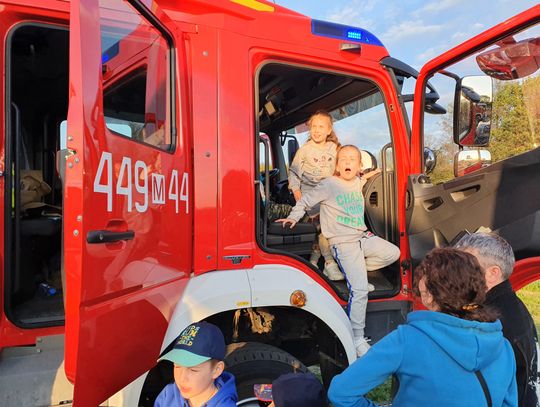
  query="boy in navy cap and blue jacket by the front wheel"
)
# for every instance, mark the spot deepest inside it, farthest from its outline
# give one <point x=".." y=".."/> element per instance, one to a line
<point x="199" y="379"/>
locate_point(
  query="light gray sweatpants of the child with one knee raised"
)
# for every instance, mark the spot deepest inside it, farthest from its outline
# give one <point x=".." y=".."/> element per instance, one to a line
<point x="355" y="259"/>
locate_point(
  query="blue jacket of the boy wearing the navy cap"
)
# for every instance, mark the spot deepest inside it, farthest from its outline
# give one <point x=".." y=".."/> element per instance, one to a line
<point x="225" y="397"/>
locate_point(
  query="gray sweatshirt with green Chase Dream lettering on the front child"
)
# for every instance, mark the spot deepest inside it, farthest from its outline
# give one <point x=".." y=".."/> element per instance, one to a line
<point x="342" y="208"/>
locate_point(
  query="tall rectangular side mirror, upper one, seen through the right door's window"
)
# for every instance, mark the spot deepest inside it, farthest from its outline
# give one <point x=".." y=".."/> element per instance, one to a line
<point x="472" y="112"/>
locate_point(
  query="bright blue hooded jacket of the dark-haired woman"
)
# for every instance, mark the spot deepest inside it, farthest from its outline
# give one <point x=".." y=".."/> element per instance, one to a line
<point x="434" y="357"/>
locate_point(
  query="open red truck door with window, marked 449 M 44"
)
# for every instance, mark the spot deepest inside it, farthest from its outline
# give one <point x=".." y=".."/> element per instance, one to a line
<point x="127" y="234"/>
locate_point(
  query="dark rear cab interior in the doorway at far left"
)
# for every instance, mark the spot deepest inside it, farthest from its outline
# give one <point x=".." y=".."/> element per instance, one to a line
<point x="36" y="108"/>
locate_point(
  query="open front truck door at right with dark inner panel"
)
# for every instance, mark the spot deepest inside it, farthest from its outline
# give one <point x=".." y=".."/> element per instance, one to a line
<point x="487" y="144"/>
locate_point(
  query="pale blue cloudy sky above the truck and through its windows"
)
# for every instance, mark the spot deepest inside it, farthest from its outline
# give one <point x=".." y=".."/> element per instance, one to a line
<point x="414" y="31"/>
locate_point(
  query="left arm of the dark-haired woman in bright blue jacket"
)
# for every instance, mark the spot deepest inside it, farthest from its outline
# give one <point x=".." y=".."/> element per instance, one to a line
<point x="349" y="388"/>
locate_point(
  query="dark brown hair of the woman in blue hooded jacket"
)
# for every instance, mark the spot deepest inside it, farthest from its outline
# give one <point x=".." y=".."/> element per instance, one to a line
<point x="457" y="283"/>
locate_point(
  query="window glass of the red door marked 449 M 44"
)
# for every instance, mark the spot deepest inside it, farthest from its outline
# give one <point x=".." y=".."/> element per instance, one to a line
<point x="136" y="76"/>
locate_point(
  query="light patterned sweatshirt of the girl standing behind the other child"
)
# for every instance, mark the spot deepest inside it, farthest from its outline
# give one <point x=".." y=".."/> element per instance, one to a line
<point x="311" y="164"/>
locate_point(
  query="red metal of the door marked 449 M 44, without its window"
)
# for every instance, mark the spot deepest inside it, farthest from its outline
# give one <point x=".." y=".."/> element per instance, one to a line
<point x="120" y="296"/>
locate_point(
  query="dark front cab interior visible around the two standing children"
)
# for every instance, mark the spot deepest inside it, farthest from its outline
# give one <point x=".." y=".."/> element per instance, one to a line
<point x="287" y="96"/>
